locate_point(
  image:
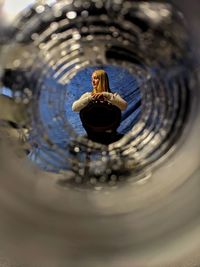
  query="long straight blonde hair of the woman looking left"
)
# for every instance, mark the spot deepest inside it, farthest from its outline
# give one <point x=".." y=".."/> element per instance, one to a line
<point x="103" y="85"/>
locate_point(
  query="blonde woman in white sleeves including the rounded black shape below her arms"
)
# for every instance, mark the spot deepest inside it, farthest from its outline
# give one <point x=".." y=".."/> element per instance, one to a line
<point x="100" y="110"/>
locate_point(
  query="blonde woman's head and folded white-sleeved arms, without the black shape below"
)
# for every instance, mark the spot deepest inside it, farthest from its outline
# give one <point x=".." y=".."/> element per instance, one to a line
<point x="101" y="91"/>
